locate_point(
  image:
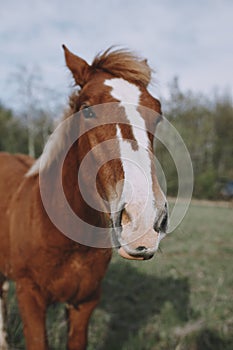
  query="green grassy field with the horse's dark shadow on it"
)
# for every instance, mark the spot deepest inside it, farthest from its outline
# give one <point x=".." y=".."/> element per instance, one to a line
<point x="180" y="300"/>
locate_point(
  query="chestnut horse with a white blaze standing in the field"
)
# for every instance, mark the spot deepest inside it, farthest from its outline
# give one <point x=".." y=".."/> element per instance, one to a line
<point x="49" y="265"/>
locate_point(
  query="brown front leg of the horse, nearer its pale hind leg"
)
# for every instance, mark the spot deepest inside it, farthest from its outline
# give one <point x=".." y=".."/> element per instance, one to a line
<point x="32" y="308"/>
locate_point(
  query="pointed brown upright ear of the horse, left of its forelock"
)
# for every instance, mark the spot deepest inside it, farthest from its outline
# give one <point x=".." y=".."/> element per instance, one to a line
<point x="78" y="67"/>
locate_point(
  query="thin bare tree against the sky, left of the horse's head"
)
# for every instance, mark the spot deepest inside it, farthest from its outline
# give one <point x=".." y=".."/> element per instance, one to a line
<point x="37" y="106"/>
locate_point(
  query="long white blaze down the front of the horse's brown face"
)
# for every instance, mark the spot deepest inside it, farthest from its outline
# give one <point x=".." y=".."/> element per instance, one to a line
<point x="138" y="185"/>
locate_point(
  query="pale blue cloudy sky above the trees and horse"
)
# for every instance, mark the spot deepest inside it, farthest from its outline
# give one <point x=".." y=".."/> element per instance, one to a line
<point x="189" y="39"/>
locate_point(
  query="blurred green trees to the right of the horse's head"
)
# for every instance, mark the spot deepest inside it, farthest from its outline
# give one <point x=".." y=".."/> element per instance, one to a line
<point x="206" y="128"/>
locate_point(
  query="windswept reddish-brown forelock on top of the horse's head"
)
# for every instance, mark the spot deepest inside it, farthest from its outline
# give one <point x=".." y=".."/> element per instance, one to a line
<point x="123" y="64"/>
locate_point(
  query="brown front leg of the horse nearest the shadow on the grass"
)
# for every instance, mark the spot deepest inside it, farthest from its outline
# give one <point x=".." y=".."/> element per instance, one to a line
<point x="78" y="323"/>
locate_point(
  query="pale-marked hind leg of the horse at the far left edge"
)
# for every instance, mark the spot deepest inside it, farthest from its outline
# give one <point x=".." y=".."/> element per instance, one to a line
<point x="3" y="296"/>
